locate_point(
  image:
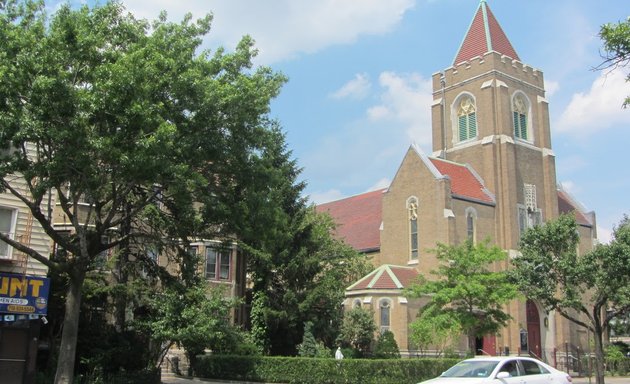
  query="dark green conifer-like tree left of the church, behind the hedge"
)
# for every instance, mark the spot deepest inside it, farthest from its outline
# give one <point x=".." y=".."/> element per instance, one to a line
<point x="302" y="272"/>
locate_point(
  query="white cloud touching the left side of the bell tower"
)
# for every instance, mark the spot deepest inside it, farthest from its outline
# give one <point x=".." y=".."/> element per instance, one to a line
<point x="406" y="100"/>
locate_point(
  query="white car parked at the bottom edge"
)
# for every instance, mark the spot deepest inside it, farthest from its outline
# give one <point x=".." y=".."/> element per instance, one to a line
<point x="501" y="370"/>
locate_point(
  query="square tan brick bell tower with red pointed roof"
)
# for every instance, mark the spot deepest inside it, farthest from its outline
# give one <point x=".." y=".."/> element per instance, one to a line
<point x="489" y="110"/>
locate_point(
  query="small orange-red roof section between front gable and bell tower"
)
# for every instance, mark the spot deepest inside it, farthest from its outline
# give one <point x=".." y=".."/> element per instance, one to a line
<point x="463" y="182"/>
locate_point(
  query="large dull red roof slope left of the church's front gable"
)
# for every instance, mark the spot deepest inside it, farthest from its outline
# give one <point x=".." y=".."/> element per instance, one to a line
<point x="359" y="219"/>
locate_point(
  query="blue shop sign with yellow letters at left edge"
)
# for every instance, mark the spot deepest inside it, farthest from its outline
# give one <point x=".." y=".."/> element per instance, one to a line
<point x="20" y="294"/>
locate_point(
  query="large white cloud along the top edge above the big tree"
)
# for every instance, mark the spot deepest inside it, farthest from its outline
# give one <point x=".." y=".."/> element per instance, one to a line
<point x="284" y="28"/>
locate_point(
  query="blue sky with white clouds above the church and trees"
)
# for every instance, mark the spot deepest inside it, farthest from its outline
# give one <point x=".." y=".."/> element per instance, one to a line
<point x="359" y="83"/>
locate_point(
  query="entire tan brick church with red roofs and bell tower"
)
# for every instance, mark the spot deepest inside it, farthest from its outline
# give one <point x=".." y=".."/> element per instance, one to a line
<point x="491" y="175"/>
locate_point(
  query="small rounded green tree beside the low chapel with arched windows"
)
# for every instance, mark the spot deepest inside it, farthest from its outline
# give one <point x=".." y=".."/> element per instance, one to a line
<point x="357" y="330"/>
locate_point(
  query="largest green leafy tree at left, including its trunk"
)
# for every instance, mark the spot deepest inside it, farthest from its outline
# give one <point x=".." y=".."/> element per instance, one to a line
<point x="125" y="121"/>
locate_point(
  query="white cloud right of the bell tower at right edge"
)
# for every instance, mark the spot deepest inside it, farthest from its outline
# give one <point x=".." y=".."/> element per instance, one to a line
<point x="599" y="108"/>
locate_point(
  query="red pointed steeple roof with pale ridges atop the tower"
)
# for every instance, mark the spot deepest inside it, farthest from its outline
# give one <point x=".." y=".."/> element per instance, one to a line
<point x="484" y="35"/>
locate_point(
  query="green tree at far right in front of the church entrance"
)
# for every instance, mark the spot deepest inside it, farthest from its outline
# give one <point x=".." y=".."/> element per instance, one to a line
<point x="589" y="290"/>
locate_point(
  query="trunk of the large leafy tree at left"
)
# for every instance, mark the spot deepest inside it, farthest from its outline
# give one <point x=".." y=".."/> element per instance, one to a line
<point x="69" y="335"/>
